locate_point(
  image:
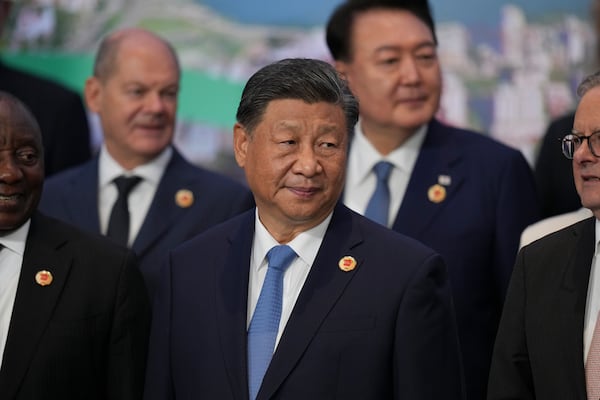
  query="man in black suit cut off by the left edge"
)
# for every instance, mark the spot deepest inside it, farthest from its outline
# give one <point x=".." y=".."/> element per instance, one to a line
<point x="74" y="313"/>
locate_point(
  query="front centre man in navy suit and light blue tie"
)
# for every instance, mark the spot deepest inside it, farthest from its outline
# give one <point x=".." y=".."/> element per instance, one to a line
<point x="363" y="312"/>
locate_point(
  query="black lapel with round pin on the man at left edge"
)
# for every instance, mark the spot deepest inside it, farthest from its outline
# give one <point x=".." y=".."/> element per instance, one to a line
<point x="34" y="304"/>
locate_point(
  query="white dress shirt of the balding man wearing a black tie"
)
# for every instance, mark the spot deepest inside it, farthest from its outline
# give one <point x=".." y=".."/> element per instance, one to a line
<point x="141" y="195"/>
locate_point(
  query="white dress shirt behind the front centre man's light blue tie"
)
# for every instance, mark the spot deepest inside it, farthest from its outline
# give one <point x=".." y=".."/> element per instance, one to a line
<point x="306" y="245"/>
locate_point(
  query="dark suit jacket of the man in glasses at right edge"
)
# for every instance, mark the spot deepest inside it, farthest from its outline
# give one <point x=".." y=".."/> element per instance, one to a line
<point x="539" y="348"/>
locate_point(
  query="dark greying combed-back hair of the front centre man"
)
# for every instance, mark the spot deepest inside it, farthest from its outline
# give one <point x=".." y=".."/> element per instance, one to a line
<point x="303" y="79"/>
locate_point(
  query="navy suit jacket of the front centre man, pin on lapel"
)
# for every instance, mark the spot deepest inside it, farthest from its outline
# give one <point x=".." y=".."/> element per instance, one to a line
<point x="385" y="330"/>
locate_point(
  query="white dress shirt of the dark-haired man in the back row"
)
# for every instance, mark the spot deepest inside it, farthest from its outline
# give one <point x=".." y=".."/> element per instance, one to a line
<point x="361" y="180"/>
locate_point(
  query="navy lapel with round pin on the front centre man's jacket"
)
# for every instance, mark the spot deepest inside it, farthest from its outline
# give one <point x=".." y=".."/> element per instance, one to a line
<point x="323" y="287"/>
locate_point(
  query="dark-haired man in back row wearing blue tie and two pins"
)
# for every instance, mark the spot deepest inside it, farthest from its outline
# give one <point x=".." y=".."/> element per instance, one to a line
<point x="459" y="192"/>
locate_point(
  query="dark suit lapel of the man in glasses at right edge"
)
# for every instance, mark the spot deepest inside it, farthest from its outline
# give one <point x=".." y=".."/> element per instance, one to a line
<point x="573" y="297"/>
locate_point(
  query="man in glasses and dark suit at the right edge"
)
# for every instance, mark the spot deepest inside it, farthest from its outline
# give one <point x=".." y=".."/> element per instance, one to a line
<point x="548" y="343"/>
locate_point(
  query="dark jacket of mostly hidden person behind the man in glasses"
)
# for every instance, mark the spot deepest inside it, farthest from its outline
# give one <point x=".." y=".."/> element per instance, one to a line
<point x="554" y="172"/>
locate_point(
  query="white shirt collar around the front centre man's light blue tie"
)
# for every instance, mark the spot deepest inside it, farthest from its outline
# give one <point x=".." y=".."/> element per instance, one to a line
<point x="306" y="244"/>
